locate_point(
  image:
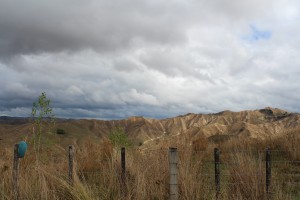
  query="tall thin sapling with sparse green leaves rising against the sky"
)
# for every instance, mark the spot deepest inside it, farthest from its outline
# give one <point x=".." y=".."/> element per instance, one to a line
<point x="43" y="122"/>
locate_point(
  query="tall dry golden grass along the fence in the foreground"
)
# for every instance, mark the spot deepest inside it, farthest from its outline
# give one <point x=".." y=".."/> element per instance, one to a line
<point x="97" y="167"/>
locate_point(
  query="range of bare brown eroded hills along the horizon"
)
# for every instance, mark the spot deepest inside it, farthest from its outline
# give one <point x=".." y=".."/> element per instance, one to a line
<point x="260" y="124"/>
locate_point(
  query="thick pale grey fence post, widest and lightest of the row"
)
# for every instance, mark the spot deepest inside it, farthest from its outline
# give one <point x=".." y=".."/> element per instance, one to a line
<point x="173" y="160"/>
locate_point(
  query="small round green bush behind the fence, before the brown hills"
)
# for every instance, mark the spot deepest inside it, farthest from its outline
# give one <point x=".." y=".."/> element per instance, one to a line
<point x="119" y="138"/>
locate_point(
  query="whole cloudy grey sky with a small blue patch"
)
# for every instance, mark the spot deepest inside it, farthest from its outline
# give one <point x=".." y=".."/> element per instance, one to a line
<point x="120" y="58"/>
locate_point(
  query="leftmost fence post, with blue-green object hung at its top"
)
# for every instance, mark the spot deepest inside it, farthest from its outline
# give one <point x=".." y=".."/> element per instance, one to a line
<point x="16" y="173"/>
